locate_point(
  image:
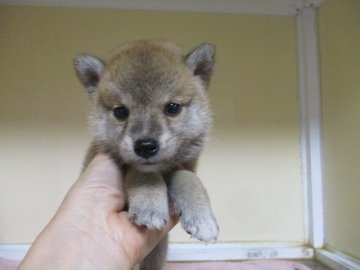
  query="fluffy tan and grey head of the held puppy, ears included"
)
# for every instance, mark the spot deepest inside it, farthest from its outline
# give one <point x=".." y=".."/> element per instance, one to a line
<point x="149" y="102"/>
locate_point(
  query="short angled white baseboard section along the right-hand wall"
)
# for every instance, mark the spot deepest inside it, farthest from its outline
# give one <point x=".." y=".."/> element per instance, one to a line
<point x="336" y="260"/>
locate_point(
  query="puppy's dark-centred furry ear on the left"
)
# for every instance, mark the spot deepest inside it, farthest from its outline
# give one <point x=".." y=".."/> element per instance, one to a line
<point x="89" y="70"/>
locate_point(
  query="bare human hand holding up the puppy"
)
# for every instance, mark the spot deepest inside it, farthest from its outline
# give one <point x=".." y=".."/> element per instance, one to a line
<point x="91" y="230"/>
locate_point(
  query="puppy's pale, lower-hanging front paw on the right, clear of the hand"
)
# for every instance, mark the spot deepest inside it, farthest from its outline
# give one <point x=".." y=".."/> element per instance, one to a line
<point x="203" y="227"/>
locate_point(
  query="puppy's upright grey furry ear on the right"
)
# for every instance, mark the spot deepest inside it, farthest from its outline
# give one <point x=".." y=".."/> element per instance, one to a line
<point x="201" y="61"/>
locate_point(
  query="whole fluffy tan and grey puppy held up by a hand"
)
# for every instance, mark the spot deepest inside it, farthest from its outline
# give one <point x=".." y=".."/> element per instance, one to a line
<point x="150" y="113"/>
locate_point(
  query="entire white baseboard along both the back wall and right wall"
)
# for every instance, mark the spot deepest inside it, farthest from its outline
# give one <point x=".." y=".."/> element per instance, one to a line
<point x="230" y="251"/>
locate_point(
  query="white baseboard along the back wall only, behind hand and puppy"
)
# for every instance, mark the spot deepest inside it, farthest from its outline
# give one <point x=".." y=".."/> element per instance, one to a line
<point x="202" y="252"/>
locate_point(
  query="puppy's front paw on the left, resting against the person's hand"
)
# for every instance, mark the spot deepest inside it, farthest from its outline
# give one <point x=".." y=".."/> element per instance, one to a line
<point x="151" y="218"/>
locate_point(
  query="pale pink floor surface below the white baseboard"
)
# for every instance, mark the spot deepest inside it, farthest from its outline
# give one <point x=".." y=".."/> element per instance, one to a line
<point x="249" y="265"/>
